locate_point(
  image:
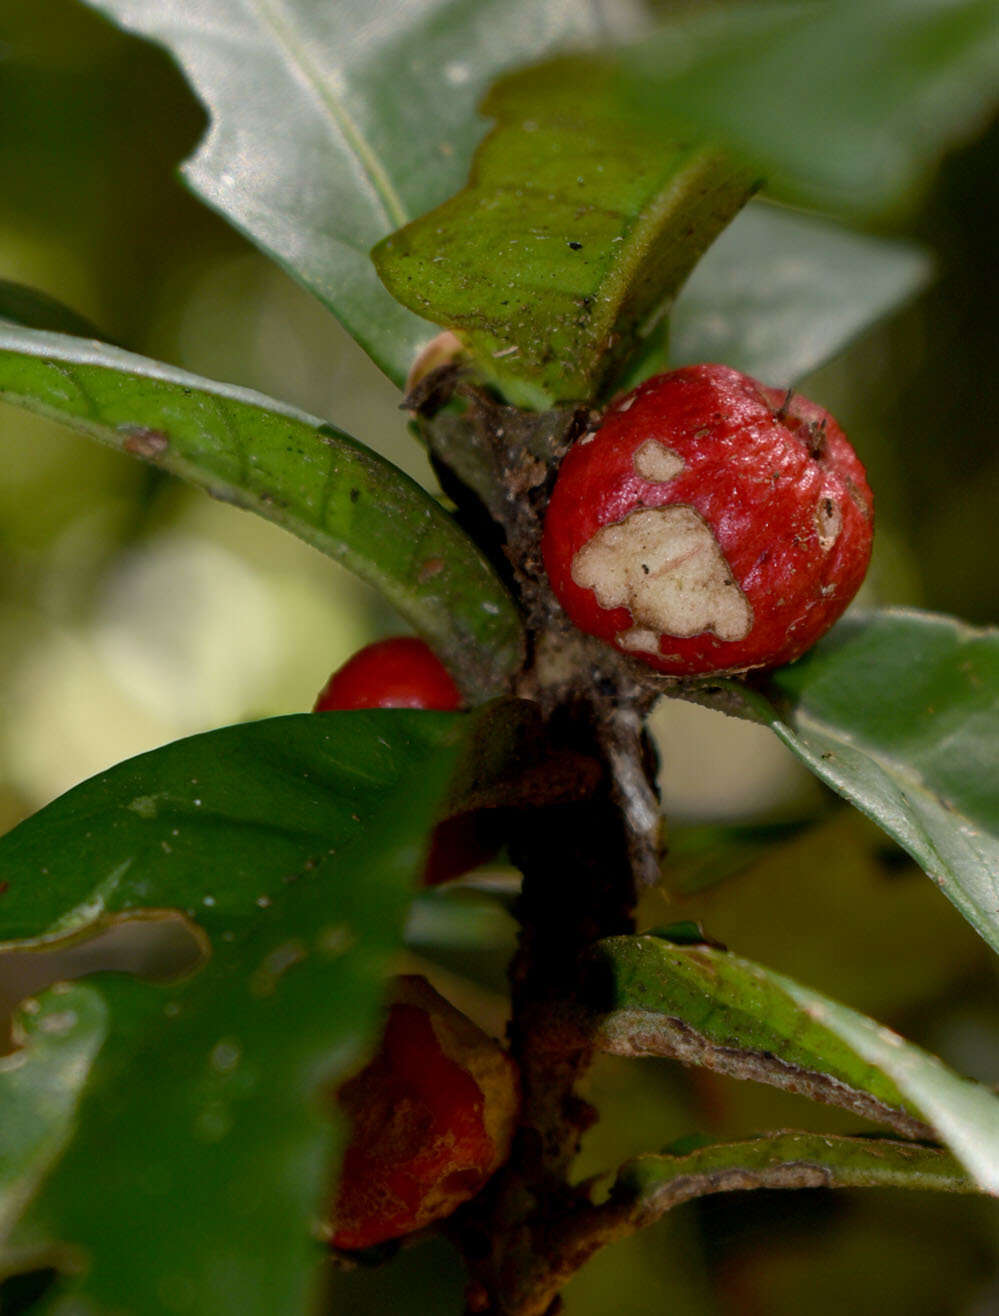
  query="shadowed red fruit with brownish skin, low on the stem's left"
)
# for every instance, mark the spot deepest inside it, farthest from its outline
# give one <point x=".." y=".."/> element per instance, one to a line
<point x="434" y="1118"/>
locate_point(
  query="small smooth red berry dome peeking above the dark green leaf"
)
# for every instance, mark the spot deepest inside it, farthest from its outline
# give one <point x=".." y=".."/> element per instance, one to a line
<point x="398" y="673"/>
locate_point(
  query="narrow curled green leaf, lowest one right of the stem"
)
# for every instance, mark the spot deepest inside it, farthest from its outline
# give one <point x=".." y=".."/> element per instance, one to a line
<point x="657" y="1184"/>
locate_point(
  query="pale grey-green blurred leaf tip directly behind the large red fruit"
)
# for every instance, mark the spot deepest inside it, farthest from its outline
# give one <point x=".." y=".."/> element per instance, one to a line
<point x="780" y="294"/>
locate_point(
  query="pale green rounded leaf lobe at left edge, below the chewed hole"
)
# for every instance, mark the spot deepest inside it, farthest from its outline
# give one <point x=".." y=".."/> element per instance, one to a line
<point x="40" y="1085"/>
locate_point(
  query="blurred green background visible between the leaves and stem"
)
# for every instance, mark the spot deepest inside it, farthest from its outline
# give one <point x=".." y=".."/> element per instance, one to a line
<point x="135" y="611"/>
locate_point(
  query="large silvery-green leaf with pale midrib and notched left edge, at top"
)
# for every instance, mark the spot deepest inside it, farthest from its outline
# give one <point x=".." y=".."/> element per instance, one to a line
<point x="331" y="124"/>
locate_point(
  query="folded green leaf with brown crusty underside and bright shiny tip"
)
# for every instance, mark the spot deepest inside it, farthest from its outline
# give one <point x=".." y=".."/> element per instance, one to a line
<point x="710" y="1007"/>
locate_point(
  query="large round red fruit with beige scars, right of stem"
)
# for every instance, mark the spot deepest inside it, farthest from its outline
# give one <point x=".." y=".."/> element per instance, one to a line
<point x="710" y="524"/>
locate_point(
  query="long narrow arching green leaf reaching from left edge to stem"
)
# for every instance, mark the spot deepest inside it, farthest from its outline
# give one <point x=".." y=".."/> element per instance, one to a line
<point x="292" y="469"/>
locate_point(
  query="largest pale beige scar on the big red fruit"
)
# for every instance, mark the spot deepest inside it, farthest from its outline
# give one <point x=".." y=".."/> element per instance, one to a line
<point x="667" y="568"/>
